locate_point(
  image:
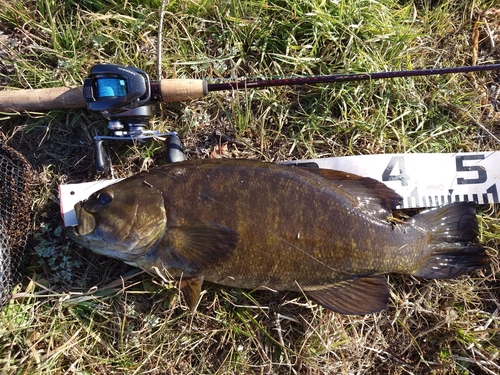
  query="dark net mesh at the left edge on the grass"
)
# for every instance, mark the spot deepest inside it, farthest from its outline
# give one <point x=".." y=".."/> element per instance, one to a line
<point x="16" y="183"/>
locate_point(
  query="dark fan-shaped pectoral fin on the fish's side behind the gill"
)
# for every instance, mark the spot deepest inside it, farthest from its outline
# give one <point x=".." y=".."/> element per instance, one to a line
<point x="202" y="245"/>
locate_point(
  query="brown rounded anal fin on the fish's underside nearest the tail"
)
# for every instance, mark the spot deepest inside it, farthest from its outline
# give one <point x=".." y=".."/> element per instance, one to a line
<point x="358" y="296"/>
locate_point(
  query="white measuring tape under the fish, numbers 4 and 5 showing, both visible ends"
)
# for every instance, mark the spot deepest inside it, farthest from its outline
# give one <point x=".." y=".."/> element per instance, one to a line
<point x="422" y="180"/>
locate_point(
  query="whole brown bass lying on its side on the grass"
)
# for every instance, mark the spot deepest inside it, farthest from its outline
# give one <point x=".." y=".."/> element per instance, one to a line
<point x="252" y="224"/>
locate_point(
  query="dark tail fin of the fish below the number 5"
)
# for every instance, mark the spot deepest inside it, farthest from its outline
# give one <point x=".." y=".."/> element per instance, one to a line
<point x="452" y="229"/>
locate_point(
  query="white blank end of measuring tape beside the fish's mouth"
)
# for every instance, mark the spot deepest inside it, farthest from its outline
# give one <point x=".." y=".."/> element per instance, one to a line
<point x="71" y="194"/>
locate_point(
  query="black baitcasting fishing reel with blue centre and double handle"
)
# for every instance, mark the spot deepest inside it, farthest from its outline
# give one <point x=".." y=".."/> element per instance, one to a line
<point x="123" y="96"/>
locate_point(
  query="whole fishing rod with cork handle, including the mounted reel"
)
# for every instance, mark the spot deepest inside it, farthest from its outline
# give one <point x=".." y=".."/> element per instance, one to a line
<point x="123" y="95"/>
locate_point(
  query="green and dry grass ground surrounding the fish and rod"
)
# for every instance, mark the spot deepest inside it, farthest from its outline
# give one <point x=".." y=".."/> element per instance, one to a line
<point x="86" y="314"/>
